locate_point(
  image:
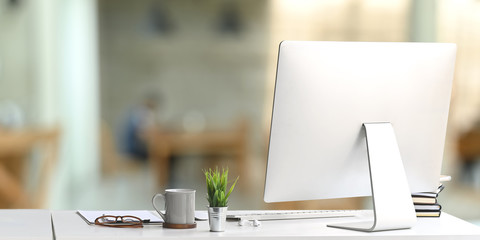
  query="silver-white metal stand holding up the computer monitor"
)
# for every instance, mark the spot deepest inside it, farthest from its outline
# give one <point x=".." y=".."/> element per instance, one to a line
<point x="392" y="201"/>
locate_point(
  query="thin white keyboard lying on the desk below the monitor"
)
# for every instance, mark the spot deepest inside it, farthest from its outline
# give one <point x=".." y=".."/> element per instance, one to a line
<point x="291" y="214"/>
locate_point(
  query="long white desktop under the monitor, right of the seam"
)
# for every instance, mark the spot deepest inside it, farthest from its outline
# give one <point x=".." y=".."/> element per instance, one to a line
<point x="68" y="225"/>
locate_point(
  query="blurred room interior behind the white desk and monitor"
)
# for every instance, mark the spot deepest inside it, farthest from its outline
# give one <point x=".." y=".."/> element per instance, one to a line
<point x="105" y="103"/>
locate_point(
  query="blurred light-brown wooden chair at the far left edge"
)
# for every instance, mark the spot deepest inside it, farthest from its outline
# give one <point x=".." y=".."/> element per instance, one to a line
<point x="27" y="158"/>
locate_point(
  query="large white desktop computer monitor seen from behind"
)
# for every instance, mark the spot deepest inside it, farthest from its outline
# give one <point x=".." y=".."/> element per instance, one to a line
<point x="325" y="93"/>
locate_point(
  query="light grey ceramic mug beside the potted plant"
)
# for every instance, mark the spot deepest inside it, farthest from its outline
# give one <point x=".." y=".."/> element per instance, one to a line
<point x="179" y="206"/>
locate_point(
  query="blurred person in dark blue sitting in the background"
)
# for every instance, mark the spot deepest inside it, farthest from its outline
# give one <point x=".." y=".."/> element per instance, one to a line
<point x="140" y="119"/>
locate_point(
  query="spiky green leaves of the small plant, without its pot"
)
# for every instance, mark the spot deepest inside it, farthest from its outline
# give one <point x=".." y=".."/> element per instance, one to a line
<point x="217" y="181"/>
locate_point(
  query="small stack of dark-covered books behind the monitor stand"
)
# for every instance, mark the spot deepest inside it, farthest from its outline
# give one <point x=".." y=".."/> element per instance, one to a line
<point x="426" y="203"/>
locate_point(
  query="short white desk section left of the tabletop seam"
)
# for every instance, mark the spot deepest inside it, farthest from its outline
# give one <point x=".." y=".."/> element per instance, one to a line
<point x="25" y="224"/>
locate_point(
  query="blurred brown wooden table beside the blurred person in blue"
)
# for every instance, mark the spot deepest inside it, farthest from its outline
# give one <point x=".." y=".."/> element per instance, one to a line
<point x="162" y="145"/>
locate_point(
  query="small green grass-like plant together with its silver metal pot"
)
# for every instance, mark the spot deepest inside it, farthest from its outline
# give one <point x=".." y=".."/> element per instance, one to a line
<point x="217" y="196"/>
